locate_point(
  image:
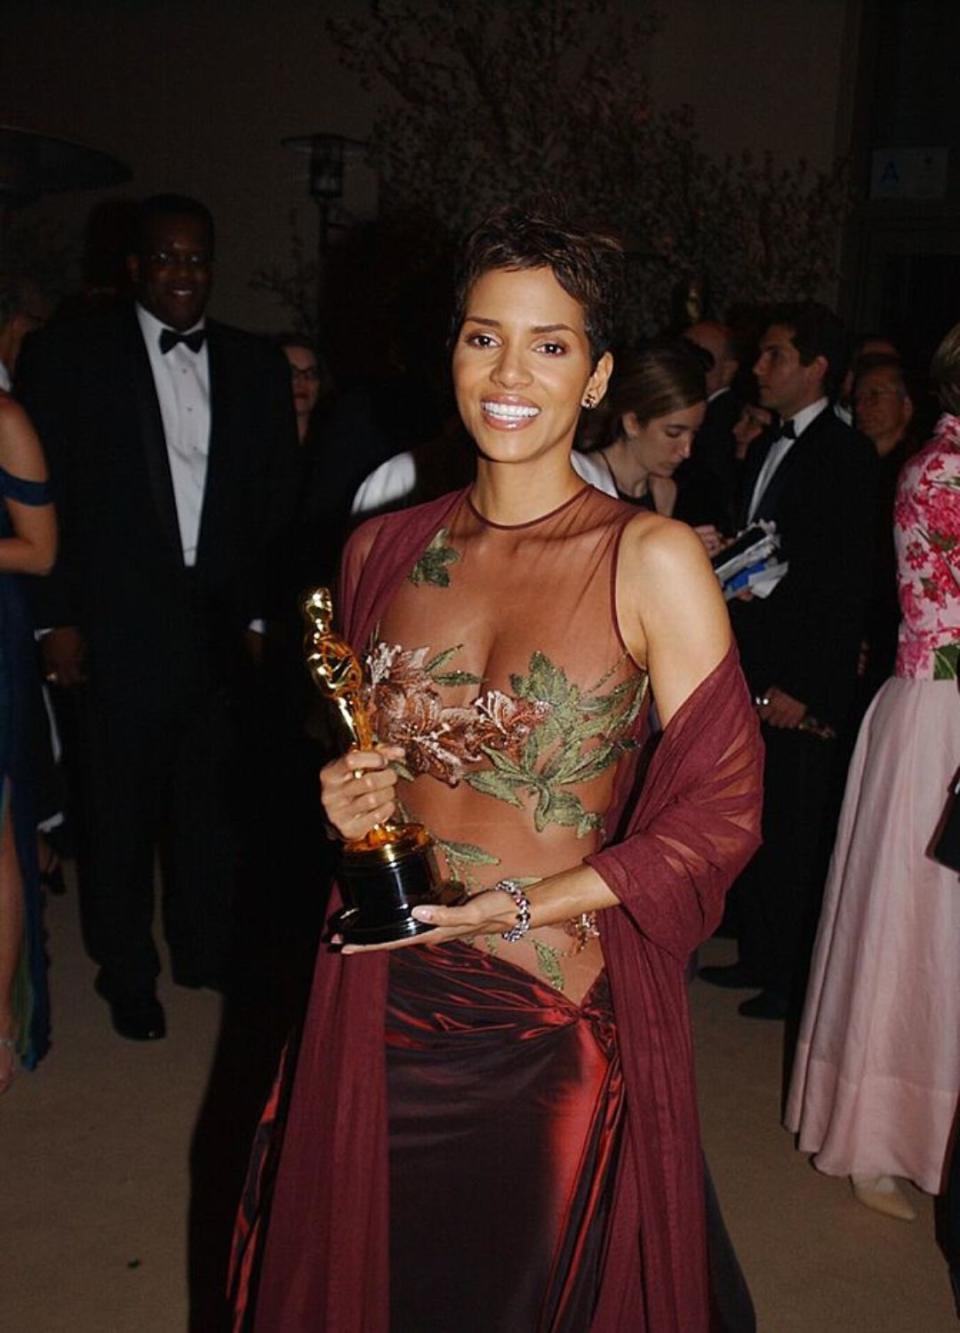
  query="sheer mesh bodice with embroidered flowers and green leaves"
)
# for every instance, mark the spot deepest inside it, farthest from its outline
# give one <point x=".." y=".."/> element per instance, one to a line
<point x="501" y="668"/>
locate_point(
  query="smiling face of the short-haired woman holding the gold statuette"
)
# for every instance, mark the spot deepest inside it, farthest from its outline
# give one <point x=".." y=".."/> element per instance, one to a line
<point x="522" y="366"/>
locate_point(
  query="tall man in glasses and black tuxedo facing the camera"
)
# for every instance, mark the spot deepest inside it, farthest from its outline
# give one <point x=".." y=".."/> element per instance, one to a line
<point x="173" y="450"/>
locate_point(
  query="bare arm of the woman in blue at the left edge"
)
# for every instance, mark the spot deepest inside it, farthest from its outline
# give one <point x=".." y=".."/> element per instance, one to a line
<point x="33" y="549"/>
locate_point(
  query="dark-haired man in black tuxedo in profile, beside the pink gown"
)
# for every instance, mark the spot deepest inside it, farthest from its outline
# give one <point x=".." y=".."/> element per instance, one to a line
<point x="815" y="478"/>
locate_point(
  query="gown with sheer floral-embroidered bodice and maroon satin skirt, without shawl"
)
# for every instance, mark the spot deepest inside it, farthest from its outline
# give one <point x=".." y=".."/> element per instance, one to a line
<point x="499" y="667"/>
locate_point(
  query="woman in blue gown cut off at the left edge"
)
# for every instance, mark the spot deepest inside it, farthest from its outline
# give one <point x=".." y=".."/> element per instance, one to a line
<point x="27" y="547"/>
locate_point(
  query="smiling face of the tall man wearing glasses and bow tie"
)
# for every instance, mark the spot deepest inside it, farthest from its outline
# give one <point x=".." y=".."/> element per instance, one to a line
<point x="174" y="270"/>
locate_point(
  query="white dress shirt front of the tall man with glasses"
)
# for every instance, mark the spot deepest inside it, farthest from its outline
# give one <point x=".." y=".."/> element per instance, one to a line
<point x="182" y="381"/>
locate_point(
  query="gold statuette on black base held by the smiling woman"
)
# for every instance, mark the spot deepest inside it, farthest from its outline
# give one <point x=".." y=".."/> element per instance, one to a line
<point x="393" y="868"/>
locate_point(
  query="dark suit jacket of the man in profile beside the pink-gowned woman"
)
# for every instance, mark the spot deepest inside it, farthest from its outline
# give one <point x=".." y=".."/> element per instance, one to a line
<point x="806" y="637"/>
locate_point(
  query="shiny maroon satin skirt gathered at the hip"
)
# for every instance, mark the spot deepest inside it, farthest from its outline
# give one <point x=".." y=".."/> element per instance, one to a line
<point x="506" y="1111"/>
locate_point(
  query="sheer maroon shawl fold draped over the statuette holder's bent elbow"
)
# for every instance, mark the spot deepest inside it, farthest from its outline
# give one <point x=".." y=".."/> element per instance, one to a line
<point x="698" y="819"/>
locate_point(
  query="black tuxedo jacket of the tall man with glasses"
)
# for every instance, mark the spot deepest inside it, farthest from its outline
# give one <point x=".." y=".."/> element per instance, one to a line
<point x="154" y="629"/>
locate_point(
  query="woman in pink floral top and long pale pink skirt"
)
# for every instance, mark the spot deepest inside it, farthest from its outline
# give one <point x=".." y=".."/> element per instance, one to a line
<point x="878" y="1071"/>
